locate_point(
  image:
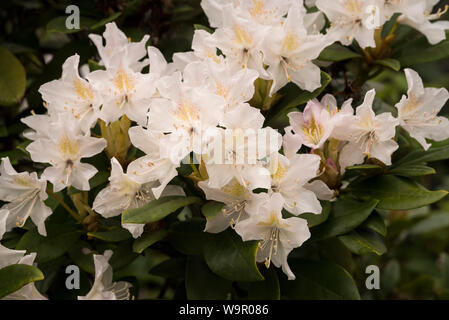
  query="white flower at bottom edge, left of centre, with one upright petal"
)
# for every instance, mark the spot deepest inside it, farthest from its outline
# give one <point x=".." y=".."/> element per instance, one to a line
<point x="104" y="288"/>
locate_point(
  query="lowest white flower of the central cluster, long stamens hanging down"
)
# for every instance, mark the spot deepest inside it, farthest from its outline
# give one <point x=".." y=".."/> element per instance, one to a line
<point x="278" y="236"/>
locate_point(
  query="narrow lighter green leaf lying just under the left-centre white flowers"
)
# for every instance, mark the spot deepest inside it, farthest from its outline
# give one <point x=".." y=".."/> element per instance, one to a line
<point x="157" y="209"/>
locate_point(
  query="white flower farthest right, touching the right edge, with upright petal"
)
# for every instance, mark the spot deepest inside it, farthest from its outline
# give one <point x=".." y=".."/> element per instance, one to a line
<point x="418" y="112"/>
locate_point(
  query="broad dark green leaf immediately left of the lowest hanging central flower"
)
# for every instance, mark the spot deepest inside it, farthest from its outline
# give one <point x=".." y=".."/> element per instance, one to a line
<point x="231" y="258"/>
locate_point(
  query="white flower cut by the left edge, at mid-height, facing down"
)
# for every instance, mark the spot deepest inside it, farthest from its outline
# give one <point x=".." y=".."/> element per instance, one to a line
<point x="25" y="194"/>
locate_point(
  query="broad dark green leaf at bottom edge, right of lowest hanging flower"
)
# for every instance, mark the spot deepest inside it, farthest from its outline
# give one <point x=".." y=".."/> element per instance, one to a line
<point x="320" y="280"/>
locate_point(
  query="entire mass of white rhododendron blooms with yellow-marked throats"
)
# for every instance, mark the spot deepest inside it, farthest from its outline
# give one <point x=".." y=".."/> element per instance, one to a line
<point x="197" y="111"/>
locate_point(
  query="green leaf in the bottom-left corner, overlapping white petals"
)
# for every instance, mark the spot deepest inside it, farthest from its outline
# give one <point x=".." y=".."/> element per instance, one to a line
<point x="14" y="277"/>
